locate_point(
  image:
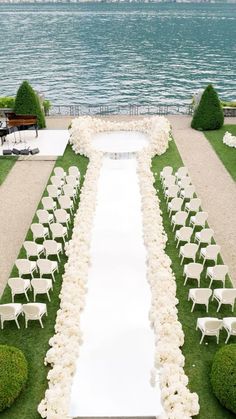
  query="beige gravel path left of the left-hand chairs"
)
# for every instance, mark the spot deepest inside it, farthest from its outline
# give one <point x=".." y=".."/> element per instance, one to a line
<point x="19" y="197"/>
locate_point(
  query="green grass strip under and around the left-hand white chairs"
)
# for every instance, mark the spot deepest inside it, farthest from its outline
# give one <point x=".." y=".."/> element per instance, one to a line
<point x="34" y="340"/>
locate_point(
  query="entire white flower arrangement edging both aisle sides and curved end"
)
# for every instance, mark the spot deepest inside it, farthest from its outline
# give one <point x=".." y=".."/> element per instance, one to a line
<point x="177" y="400"/>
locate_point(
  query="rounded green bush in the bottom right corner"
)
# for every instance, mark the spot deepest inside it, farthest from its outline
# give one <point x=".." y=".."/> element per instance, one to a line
<point x="223" y="376"/>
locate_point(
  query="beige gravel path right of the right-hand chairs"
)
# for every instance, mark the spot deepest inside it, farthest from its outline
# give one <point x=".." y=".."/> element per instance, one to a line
<point x="214" y="185"/>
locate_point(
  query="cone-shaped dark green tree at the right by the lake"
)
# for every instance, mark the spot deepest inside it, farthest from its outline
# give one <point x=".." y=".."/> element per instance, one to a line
<point x="209" y="113"/>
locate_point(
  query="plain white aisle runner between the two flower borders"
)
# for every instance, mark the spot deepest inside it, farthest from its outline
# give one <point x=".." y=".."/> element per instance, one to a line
<point x="113" y="370"/>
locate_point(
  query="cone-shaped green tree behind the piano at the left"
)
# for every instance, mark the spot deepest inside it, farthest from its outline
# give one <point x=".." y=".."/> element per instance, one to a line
<point x="27" y="102"/>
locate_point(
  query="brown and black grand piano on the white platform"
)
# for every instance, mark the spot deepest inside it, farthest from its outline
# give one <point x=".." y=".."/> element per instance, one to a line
<point x="16" y="122"/>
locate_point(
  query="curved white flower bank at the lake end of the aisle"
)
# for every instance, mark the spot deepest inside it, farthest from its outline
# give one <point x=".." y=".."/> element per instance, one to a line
<point x="84" y="127"/>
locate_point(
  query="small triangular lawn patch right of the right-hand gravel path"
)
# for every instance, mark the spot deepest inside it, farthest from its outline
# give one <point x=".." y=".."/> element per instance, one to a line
<point x="226" y="154"/>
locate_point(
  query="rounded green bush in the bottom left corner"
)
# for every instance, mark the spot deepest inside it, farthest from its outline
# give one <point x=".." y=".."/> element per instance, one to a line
<point x="13" y="374"/>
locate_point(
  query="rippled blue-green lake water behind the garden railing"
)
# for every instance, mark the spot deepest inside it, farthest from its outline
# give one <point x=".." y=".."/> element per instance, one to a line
<point x="118" y="53"/>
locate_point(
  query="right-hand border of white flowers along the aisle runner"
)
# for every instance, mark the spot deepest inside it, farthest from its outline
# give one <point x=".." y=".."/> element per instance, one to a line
<point x="178" y="402"/>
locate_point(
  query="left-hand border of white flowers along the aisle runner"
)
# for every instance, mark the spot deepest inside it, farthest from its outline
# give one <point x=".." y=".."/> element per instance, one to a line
<point x="65" y="344"/>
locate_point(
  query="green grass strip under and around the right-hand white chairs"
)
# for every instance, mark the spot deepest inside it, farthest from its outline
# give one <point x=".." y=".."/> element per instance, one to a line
<point x="198" y="358"/>
